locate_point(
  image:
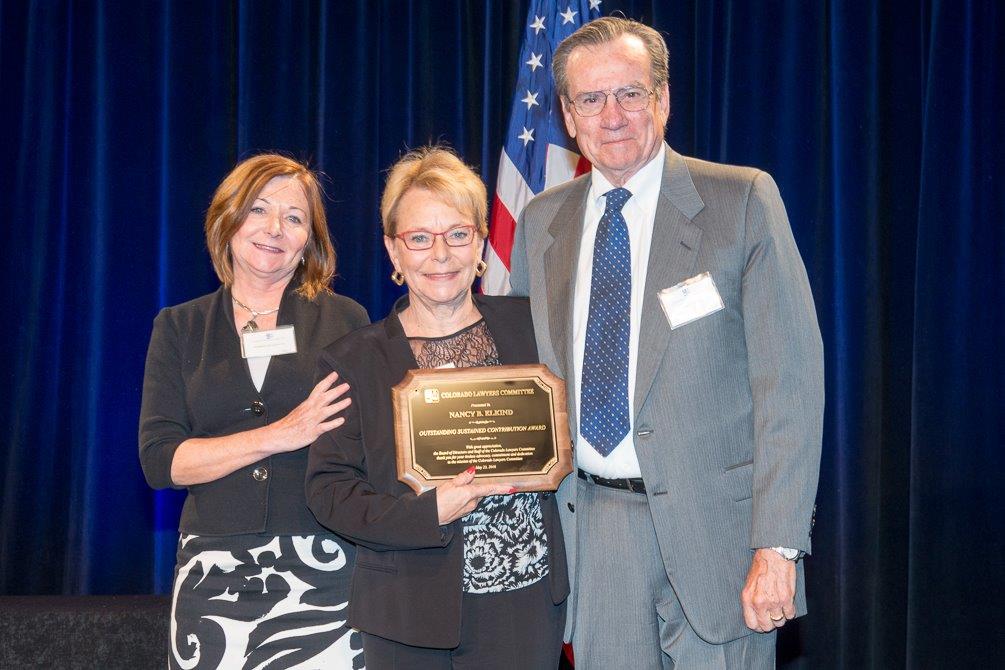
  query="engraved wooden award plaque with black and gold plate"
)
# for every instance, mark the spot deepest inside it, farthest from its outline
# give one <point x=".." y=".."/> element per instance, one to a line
<point x="508" y="421"/>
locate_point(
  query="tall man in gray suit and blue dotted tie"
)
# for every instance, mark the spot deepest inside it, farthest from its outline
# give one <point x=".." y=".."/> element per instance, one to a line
<point x="680" y="281"/>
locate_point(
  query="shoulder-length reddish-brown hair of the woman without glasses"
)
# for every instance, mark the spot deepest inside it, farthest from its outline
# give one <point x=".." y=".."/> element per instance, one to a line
<point x="234" y="200"/>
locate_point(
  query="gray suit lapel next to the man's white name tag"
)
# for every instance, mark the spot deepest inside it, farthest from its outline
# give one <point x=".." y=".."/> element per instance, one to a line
<point x="673" y="256"/>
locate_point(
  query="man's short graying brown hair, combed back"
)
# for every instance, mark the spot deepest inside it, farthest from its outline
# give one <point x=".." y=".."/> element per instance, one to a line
<point x="608" y="30"/>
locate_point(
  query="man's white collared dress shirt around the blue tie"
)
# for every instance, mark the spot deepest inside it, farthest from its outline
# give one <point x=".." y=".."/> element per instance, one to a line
<point x="640" y="213"/>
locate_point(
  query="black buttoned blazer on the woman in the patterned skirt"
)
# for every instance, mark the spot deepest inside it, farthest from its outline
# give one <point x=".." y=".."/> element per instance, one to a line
<point x="197" y="385"/>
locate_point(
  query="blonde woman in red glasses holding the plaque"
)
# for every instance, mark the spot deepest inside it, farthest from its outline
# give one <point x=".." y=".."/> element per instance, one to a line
<point x="470" y="574"/>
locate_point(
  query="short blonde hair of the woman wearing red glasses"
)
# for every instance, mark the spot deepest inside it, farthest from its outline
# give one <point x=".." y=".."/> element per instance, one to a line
<point x="440" y="171"/>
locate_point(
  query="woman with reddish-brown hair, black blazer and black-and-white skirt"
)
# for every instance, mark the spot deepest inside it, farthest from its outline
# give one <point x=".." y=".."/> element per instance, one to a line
<point x="258" y="582"/>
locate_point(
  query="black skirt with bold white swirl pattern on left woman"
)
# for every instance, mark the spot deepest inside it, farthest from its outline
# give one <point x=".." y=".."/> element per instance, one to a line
<point x="263" y="602"/>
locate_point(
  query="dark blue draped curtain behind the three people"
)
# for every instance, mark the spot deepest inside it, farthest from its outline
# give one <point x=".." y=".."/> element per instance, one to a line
<point x="881" y="122"/>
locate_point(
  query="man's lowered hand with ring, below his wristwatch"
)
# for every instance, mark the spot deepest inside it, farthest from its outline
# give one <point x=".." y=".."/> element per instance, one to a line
<point x="768" y="598"/>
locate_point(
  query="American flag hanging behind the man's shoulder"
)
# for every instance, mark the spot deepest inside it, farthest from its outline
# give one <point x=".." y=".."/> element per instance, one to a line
<point x="538" y="153"/>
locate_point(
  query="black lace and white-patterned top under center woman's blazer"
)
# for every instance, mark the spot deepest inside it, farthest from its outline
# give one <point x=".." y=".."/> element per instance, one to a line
<point x="505" y="545"/>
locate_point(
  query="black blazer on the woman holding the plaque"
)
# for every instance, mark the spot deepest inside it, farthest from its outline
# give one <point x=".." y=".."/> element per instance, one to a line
<point x="408" y="581"/>
